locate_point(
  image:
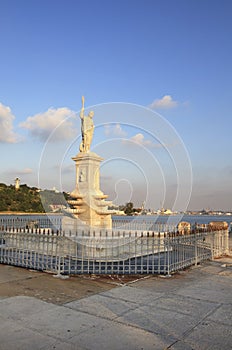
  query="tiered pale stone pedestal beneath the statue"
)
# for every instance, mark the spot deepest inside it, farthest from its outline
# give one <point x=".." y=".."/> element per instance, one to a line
<point x="88" y="201"/>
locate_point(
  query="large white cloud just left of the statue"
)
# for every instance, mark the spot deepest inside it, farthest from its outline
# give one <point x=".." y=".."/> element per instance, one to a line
<point x="57" y="121"/>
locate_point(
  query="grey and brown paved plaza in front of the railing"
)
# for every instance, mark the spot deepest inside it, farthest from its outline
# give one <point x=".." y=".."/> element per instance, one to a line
<point x="190" y="310"/>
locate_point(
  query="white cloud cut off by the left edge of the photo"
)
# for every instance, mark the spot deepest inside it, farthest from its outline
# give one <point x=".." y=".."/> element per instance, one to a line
<point x="7" y="135"/>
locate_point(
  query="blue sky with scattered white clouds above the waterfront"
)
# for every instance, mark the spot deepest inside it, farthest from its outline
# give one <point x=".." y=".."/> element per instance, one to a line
<point x="171" y="56"/>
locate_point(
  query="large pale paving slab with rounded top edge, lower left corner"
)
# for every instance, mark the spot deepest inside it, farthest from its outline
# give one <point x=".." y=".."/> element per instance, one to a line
<point x="53" y="320"/>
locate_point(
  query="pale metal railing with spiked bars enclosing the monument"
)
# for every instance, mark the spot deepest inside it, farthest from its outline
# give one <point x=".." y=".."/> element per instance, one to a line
<point x="108" y="252"/>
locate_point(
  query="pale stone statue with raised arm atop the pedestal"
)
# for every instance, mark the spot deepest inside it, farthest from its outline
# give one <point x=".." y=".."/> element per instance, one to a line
<point x="87" y="128"/>
